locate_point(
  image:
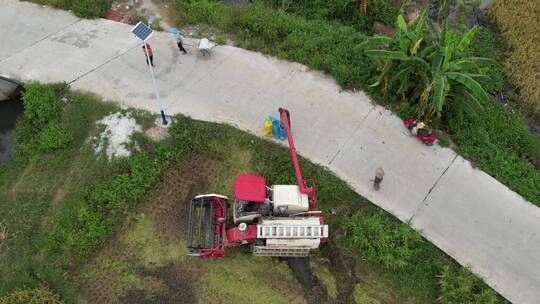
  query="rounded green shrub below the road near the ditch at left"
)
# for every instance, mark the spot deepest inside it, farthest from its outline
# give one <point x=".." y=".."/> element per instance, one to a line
<point x="40" y="104"/>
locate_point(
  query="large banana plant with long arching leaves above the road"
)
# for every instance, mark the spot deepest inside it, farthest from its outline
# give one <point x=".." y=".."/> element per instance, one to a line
<point x="428" y="67"/>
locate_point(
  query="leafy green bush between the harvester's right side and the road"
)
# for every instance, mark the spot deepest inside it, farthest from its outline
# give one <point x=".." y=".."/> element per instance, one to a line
<point x="379" y="240"/>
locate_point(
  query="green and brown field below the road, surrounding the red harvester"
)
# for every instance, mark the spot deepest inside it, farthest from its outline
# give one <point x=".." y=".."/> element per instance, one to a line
<point x="90" y="228"/>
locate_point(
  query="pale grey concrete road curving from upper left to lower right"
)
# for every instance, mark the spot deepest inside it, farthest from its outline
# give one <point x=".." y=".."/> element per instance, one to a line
<point x="465" y="212"/>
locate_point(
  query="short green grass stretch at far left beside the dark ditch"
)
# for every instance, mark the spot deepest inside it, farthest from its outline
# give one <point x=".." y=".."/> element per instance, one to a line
<point x="34" y="193"/>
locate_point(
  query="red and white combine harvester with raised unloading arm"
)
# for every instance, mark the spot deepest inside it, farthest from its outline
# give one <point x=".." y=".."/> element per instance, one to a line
<point x="281" y="220"/>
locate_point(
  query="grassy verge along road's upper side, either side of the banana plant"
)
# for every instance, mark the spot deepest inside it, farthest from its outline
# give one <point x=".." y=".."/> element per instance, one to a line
<point x="497" y="141"/>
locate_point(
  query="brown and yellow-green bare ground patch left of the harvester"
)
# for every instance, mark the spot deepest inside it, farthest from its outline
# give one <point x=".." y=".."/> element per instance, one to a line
<point x="142" y="262"/>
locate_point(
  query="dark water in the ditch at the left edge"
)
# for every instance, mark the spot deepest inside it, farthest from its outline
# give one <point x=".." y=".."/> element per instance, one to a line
<point x="10" y="110"/>
